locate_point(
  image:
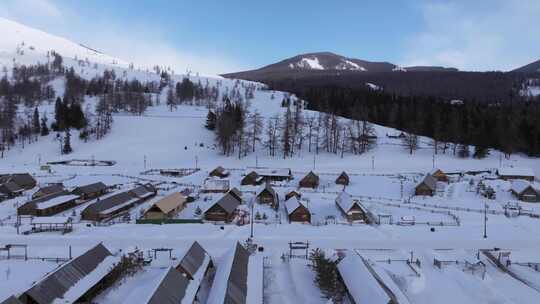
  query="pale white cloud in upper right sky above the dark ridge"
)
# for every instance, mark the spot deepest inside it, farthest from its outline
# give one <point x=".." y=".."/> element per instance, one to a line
<point x="470" y="35"/>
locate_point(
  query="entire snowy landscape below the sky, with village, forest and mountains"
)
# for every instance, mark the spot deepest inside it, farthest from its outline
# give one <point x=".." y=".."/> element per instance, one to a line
<point x="129" y="183"/>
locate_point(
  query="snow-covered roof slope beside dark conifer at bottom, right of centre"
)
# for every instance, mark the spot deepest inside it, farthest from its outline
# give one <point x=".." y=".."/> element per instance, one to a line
<point x="360" y="283"/>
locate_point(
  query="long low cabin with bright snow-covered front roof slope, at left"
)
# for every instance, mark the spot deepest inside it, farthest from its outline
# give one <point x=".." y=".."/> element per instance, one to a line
<point x="49" y="205"/>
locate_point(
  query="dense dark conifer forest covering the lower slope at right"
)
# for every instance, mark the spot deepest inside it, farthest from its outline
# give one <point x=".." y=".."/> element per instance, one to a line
<point x="510" y="127"/>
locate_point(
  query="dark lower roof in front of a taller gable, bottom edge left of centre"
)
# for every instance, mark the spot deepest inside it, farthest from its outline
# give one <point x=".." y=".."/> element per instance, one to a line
<point x="171" y="289"/>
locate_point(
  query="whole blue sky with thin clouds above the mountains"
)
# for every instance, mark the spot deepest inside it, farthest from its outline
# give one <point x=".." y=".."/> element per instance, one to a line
<point x="222" y="36"/>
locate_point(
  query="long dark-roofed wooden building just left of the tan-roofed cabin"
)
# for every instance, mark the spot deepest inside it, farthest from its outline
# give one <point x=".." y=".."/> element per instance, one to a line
<point x="117" y="204"/>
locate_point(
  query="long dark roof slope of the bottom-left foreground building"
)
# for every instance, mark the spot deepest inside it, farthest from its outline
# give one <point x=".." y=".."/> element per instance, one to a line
<point x="59" y="282"/>
